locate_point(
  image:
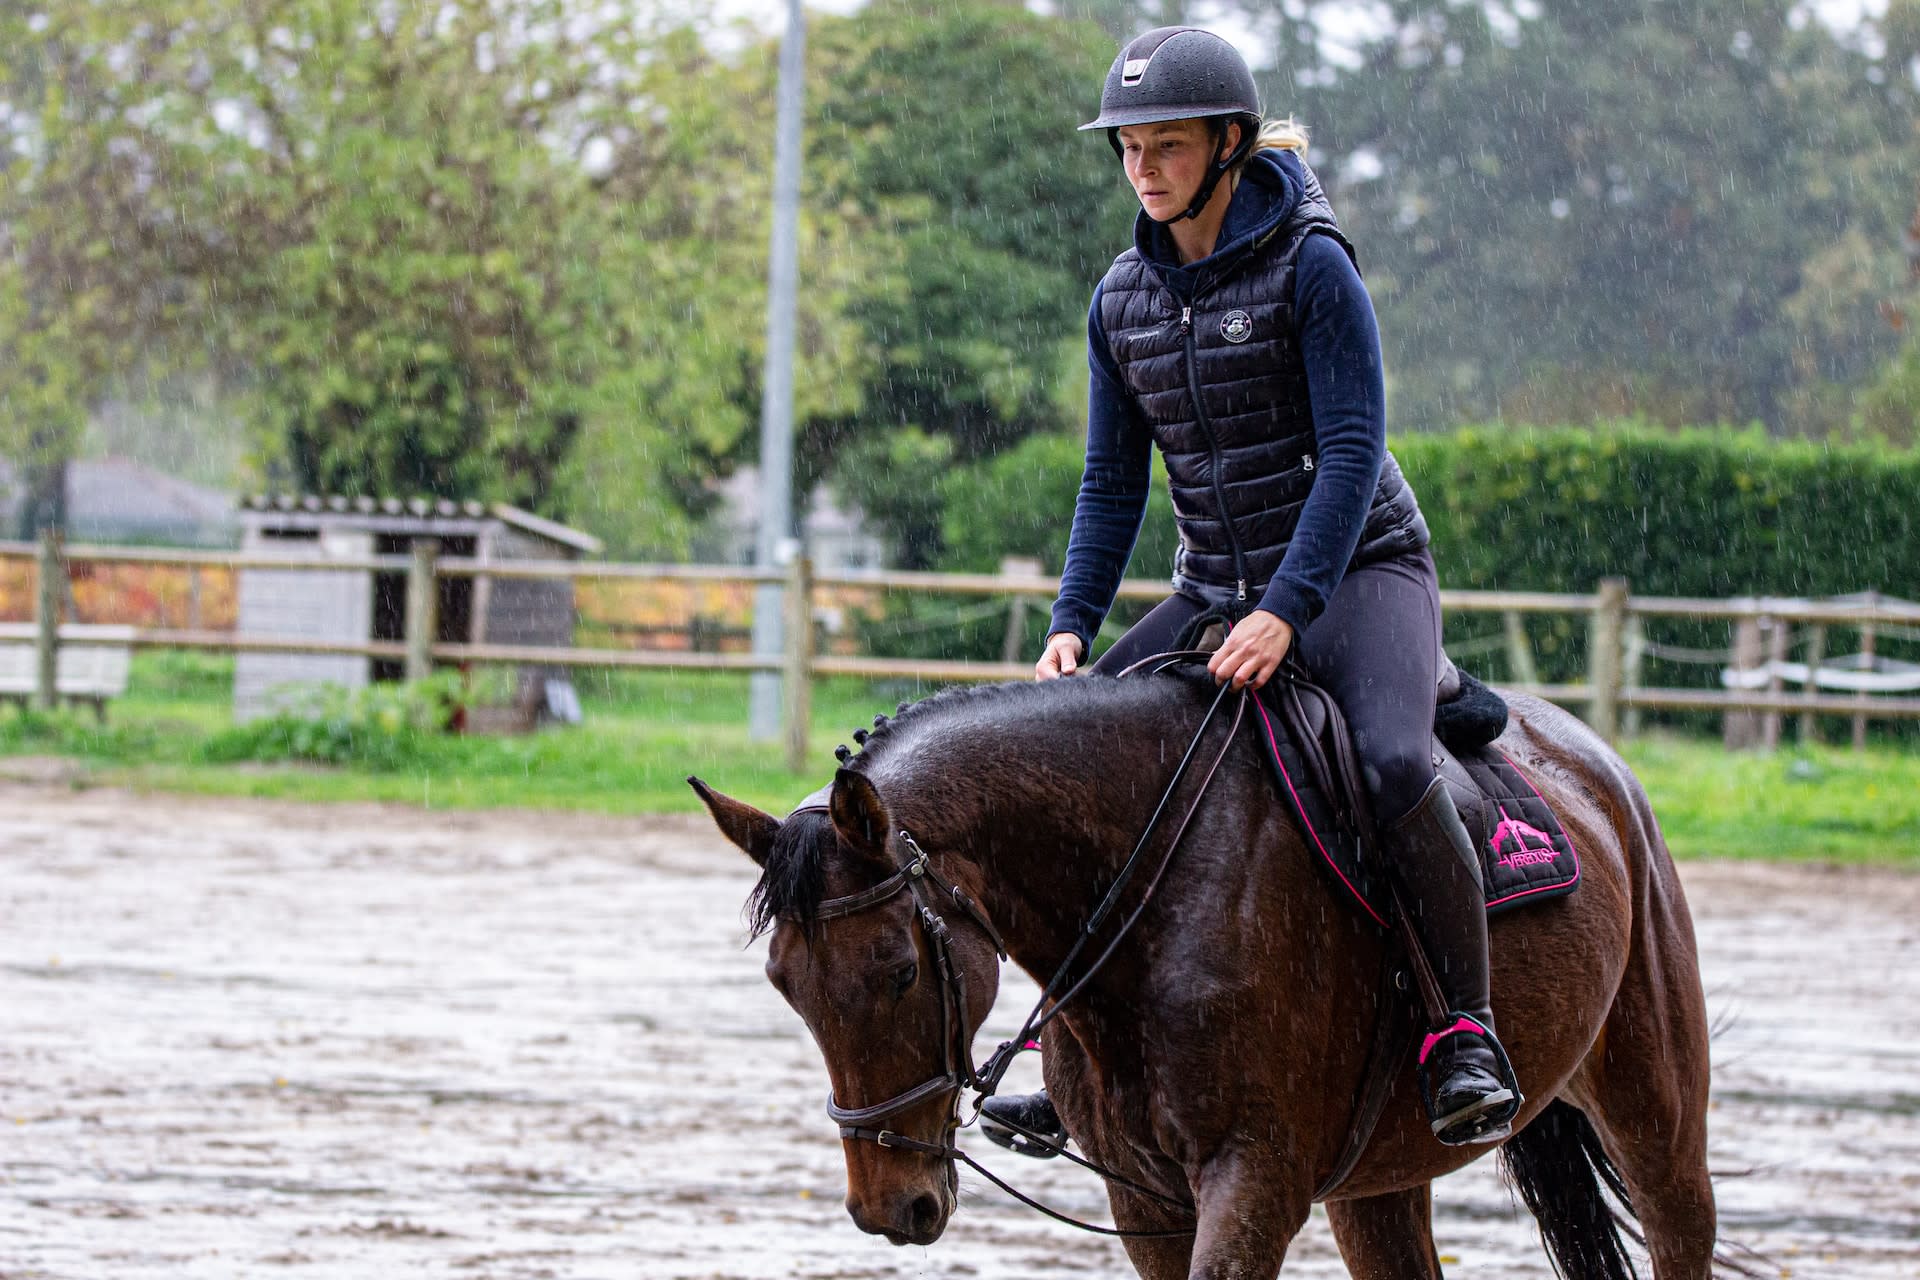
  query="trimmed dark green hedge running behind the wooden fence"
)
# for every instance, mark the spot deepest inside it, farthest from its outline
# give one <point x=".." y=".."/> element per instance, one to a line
<point x="1712" y="513"/>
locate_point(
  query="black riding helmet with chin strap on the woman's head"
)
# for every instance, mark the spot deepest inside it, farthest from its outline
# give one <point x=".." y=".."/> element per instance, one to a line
<point x="1176" y="74"/>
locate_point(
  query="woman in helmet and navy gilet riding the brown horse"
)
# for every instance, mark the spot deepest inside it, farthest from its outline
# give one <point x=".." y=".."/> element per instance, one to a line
<point x="1236" y="335"/>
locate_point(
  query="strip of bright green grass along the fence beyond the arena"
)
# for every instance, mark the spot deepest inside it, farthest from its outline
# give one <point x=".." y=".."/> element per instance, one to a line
<point x="646" y="732"/>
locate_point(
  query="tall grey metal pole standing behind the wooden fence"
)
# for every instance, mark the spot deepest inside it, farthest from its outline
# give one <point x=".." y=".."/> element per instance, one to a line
<point x="777" y="381"/>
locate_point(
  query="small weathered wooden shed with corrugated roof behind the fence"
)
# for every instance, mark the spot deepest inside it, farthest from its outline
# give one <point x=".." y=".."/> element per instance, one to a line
<point x="360" y="605"/>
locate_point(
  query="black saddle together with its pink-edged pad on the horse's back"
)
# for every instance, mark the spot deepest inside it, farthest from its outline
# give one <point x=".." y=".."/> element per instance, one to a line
<point x="1525" y="851"/>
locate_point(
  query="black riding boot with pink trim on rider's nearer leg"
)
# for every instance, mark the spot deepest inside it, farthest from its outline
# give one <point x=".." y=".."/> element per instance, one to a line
<point x="1466" y="1078"/>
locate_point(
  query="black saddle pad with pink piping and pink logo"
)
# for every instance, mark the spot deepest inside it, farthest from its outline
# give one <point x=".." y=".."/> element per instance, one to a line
<point x="1525" y="853"/>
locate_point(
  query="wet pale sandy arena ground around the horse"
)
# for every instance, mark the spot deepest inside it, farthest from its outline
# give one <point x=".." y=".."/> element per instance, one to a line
<point x="279" y="1041"/>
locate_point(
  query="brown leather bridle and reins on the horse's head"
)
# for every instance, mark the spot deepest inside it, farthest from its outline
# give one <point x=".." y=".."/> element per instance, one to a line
<point x="957" y="1053"/>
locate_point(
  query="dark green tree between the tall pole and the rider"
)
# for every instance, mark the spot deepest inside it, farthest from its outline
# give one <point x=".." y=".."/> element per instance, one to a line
<point x="992" y="214"/>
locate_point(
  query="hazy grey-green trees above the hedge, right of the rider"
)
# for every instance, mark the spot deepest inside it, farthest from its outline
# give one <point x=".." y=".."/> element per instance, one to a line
<point x="1681" y="210"/>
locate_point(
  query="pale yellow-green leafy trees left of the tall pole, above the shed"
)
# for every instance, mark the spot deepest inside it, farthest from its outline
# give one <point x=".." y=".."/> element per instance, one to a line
<point x="464" y="250"/>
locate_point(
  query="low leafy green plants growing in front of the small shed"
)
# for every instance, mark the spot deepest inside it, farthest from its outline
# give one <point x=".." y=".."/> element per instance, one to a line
<point x="383" y="726"/>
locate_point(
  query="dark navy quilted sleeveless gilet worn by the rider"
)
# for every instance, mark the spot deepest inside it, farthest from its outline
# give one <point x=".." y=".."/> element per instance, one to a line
<point x="1243" y="465"/>
